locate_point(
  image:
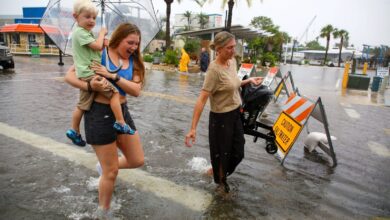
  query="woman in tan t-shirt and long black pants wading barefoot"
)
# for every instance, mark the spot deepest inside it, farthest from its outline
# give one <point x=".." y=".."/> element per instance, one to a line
<point x="226" y="134"/>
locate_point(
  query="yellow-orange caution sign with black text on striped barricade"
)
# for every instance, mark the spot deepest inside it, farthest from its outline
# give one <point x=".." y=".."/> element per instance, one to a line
<point x="286" y="130"/>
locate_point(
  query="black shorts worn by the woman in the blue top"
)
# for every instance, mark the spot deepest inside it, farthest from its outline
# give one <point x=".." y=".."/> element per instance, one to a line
<point x="99" y="122"/>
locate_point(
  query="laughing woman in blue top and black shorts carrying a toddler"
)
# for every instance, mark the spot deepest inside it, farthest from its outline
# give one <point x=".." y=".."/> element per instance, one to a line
<point x="99" y="120"/>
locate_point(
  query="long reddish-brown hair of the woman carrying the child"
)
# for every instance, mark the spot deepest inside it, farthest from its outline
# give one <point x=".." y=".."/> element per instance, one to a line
<point x="121" y="32"/>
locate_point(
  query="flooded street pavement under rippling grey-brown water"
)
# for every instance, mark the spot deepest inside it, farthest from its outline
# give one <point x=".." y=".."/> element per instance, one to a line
<point x="43" y="176"/>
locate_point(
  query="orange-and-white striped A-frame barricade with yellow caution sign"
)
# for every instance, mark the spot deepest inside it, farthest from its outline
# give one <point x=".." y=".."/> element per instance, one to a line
<point x="296" y="112"/>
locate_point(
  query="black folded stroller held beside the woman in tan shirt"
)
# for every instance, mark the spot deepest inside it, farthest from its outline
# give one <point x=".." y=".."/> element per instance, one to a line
<point x="255" y="100"/>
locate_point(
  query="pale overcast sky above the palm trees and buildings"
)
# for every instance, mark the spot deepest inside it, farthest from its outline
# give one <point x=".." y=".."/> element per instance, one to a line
<point x="368" y="22"/>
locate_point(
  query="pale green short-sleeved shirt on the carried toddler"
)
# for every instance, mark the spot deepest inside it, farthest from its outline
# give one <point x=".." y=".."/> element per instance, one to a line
<point x="82" y="53"/>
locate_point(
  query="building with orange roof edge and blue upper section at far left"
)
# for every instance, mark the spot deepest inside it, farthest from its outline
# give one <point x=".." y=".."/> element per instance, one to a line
<point x="25" y="33"/>
